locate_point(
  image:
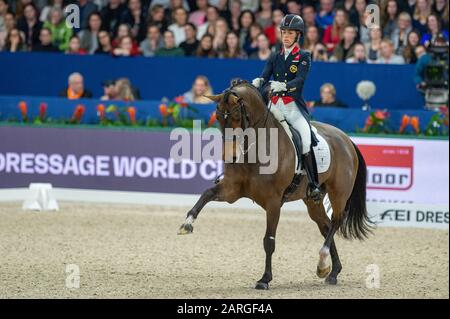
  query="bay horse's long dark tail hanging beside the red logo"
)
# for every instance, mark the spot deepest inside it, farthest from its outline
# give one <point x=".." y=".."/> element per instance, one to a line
<point x="357" y="223"/>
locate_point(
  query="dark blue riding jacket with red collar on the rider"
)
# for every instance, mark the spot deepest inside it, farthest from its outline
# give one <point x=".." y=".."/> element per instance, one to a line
<point x="292" y="71"/>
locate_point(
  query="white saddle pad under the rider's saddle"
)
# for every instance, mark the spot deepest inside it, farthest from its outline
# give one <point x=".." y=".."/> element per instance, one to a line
<point x="321" y="150"/>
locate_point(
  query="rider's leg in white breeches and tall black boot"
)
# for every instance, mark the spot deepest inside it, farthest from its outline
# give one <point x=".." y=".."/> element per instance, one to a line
<point x="298" y="121"/>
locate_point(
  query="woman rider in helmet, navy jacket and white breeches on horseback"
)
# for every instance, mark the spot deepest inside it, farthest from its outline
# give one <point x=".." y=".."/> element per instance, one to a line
<point x="289" y="69"/>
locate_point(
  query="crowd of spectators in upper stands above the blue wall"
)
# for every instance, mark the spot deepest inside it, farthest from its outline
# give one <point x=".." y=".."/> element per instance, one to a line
<point x="245" y="29"/>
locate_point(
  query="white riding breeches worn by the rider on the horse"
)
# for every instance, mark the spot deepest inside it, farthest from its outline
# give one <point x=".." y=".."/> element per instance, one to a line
<point x="295" y="118"/>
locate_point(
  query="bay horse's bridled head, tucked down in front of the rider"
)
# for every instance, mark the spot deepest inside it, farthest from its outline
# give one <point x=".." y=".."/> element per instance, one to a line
<point x="239" y="107"/>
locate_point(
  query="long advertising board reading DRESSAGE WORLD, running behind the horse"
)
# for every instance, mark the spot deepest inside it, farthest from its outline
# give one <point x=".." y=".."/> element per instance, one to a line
<point x="399" y="170"/>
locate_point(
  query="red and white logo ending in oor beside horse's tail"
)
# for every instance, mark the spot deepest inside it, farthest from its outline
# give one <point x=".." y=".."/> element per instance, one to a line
<point x="389" y="167"/>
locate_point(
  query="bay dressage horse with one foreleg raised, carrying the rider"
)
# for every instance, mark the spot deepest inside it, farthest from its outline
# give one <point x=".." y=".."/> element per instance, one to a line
<point x="242" y="106"/>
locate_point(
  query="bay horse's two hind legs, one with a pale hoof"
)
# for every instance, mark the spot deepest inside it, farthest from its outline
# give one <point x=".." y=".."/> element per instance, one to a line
<point x="327" y="229"/>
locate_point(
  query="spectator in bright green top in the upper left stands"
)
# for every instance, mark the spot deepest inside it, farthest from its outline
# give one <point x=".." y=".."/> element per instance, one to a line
<point x="61" y="32"/>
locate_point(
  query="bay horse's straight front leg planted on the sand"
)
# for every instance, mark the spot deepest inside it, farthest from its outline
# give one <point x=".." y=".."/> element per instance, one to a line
<point x="273" y="215"/>
